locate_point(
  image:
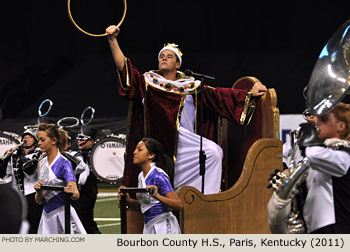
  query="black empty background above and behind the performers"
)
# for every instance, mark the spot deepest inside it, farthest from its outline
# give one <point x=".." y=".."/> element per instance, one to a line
<point x="44" y="56"/>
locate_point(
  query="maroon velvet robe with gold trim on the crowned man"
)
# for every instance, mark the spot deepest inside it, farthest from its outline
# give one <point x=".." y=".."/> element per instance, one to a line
<point x="159" y="116"/>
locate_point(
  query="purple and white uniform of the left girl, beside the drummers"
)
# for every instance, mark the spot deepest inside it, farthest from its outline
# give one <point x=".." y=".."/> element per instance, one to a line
<point x="59" y="173"/>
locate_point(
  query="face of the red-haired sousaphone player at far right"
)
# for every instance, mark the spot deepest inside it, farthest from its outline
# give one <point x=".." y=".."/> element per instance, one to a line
<point x="329" y="126"/>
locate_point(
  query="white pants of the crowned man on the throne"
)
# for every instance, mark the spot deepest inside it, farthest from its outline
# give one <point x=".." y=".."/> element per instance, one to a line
<point x="187" y="163"/>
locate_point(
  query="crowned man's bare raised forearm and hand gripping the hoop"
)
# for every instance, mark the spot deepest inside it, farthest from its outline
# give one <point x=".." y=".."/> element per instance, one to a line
<point x="118" y="55"/>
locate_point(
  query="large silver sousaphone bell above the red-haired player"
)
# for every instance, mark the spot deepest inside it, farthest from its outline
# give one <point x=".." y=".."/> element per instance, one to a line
<point x="330" y="79"/>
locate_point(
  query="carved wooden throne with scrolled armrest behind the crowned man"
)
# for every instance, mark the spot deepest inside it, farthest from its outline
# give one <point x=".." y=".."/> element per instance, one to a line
<point x="251" y="153"/>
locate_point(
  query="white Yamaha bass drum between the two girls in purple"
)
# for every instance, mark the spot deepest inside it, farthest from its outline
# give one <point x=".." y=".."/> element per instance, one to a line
<point x="107" y="159"/>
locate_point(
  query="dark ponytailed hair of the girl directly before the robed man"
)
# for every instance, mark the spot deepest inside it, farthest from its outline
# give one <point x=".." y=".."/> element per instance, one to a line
<point x="162" y="160"/>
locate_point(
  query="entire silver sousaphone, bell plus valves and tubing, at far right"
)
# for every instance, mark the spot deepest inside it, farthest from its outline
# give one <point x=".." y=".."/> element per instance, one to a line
<point x="328" y="85"/>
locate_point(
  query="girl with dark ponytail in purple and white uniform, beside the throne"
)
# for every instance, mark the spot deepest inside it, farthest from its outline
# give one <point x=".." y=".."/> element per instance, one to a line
<point x="156" y="207"/>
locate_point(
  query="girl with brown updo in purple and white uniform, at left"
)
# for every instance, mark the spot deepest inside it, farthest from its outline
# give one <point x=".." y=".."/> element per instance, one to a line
<point x="55" y="170"/>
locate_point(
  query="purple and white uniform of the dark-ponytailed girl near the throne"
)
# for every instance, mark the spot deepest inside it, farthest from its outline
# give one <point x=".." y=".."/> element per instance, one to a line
<point x="158" y="218"/>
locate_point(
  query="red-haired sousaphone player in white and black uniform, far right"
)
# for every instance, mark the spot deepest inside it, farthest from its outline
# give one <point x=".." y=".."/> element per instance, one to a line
<point x="326" y="209"/>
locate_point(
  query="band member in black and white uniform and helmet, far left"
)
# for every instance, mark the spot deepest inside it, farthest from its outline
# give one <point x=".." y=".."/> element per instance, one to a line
<point x="21" y="168"/>
